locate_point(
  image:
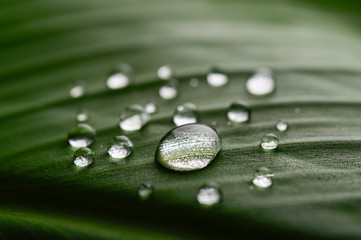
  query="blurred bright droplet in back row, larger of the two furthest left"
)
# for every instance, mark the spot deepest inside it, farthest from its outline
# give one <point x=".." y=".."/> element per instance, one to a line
<point x="119" y="77"/>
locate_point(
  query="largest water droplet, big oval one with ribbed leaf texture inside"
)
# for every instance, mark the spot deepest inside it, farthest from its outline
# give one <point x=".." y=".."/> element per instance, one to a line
<point x="188" y="147"/>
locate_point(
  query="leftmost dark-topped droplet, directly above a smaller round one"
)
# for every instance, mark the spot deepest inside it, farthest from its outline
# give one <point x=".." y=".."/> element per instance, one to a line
<point x="82" y="135"/>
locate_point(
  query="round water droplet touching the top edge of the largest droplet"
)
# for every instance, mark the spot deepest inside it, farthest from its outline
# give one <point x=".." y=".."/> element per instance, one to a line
<point x="185" y="114"/>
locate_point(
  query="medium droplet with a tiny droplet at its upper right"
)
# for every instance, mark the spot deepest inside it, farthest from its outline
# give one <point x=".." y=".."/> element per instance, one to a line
<point x="133" y="118"/>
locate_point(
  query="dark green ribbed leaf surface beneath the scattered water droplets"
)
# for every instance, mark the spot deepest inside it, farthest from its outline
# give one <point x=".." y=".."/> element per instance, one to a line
<point x="313" y="48"/>
